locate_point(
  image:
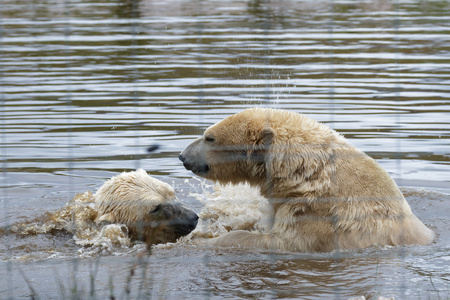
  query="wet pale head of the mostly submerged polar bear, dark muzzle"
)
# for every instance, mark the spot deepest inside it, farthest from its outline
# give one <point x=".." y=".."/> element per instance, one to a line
<point x="147" y="206"/>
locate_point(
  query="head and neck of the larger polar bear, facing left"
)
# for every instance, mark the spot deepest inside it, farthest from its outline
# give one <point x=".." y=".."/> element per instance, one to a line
<point x="261" y="146"/>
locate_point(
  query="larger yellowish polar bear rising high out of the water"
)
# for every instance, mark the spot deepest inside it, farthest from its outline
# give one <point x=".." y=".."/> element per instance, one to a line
<point x="325" y="193"/>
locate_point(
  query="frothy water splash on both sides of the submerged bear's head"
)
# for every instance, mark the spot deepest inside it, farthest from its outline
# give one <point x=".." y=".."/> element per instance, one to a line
<point x="225" y="208"/>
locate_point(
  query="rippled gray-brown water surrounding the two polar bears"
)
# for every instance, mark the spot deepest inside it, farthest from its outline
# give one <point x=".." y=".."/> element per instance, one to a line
<point x="88" y="86"/>
